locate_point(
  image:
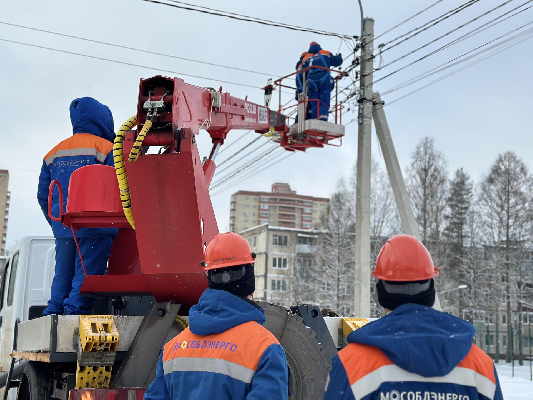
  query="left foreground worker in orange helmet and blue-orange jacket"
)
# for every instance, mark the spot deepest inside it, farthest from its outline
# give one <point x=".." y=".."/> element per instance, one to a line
<point x="225" y="353"/>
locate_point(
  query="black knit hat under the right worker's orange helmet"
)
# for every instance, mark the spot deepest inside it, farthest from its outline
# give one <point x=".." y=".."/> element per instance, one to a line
<point x="407" y="292"/>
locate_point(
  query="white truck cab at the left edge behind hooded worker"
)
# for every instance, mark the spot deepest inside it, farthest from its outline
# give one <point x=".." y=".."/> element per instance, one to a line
<point x="26" y="278"/>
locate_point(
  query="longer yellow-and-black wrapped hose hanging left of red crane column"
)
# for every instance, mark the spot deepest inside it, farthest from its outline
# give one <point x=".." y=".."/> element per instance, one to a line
<point x="118" y="158"/>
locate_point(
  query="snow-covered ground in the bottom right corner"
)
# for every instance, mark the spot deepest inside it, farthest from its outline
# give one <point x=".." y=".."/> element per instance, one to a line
<point x="518" y="388"/>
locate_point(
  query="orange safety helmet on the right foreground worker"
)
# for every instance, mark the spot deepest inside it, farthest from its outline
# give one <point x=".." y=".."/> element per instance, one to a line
<point x="404" y="259"/>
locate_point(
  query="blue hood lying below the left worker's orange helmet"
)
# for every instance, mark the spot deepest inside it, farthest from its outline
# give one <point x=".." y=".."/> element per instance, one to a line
<point x="217" y="311"/>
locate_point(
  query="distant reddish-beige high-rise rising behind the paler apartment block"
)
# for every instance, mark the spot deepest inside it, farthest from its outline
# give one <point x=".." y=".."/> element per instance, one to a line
<point x="281" y="207"/>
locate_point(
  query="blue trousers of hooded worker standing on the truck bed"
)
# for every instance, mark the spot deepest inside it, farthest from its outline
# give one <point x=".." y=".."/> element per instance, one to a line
<point x="66" y="297"/>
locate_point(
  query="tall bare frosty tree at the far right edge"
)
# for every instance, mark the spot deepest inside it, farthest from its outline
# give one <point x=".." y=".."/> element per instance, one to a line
<point x="506" y="210"/>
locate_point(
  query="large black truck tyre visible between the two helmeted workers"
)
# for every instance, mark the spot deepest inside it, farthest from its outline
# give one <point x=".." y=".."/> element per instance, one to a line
<point x="305" y="356"/>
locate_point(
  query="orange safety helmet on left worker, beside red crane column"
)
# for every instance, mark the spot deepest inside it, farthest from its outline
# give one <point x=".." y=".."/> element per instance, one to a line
<point x="226" y="250"/>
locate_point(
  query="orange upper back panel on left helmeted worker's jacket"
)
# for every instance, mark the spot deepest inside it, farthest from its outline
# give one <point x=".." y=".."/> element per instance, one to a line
<point x="243" y="345"/>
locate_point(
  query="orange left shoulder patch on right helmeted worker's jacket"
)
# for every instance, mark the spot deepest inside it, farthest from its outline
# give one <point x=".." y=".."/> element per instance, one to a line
<point x="360" y="360"/>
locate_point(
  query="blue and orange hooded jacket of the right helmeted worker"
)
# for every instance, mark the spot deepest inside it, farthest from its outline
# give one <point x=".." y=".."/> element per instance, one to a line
<point x="414" y="352"/>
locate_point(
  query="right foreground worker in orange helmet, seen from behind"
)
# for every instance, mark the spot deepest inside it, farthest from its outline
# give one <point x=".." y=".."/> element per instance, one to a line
<point x="414" y="351"/>
